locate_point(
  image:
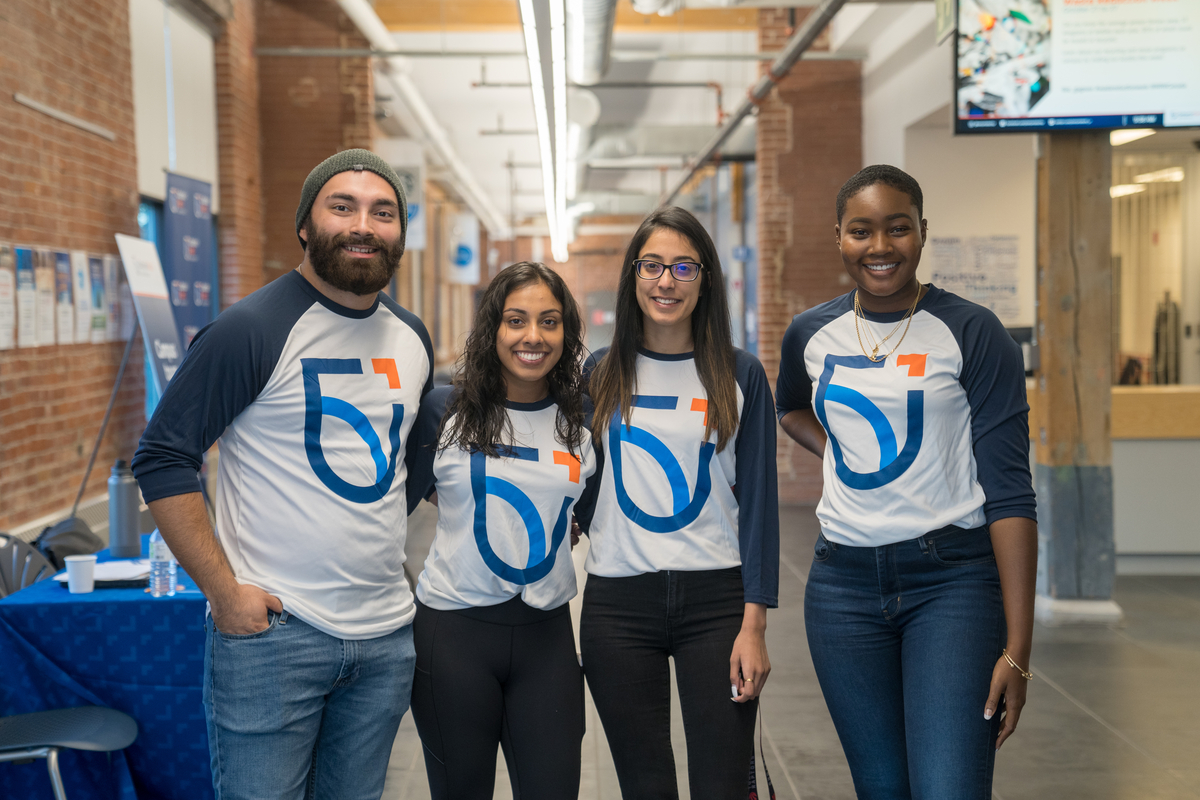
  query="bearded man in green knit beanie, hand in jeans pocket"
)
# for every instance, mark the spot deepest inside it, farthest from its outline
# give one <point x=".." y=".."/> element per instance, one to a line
<point x="311" y="386"/>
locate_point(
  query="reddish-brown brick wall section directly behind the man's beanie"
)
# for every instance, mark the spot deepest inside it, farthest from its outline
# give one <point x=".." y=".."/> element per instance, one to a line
<point x="310" y="109"/>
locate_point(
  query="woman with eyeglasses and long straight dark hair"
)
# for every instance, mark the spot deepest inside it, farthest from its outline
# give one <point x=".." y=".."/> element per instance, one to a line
<point x="685" y="522"/>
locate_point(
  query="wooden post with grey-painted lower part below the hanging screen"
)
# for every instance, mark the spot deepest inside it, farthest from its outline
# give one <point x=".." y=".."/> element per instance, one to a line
<point x="1073" y="443"/>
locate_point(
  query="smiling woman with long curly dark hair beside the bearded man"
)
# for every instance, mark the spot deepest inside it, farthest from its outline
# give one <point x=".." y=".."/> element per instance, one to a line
<point x="506" y="455"/>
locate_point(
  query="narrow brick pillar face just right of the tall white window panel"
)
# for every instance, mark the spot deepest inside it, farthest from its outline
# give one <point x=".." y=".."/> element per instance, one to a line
<point x="239" y="158"/>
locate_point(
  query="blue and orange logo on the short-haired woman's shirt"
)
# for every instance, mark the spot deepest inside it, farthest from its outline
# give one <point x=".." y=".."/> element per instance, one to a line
<point x="892" y="465"/>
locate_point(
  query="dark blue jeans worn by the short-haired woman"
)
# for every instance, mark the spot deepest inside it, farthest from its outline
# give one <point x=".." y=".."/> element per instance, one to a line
<point x="904" y="639"/>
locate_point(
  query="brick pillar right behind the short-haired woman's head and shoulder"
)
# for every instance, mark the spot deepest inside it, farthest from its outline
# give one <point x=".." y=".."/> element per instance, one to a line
<point x="809" y="143"/>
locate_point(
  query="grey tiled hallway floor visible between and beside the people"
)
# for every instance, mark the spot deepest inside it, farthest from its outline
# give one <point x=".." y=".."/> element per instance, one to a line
<point x="1113" y="714"/>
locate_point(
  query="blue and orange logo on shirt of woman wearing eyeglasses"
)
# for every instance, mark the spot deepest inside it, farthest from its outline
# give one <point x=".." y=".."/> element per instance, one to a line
<point x="686" y="504"/>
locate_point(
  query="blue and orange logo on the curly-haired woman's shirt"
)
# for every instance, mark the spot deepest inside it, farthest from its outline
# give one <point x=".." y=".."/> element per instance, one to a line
<point x="542" y="560"/>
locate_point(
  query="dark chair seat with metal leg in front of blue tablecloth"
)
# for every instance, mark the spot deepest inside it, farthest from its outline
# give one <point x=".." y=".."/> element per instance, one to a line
<point x="43" y="735"/>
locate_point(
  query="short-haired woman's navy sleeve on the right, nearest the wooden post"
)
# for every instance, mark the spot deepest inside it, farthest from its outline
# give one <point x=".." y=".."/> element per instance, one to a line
<point x="994" y="380"/>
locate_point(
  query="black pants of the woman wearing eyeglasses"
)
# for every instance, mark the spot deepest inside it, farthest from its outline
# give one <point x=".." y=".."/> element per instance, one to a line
<point x="629" y="629"/>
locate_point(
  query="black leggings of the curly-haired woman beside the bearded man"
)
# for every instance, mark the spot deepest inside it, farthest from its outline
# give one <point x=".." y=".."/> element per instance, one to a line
<point x="502" y="675"/>
